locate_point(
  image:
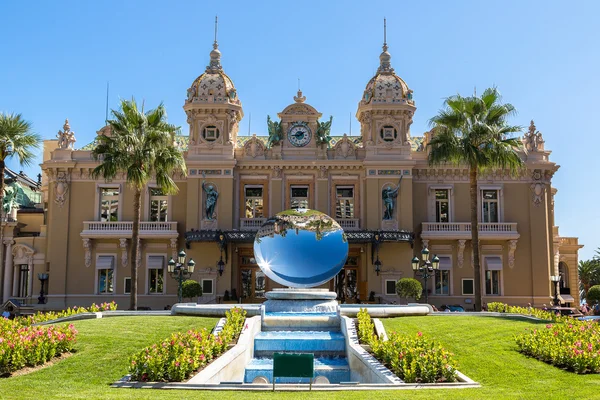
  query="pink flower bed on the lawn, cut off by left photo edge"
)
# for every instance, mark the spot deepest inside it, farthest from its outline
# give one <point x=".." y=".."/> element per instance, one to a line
<point x="28" y="346"/>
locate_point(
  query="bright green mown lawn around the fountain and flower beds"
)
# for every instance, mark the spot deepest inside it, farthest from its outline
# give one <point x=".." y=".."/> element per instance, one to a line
<point x="484" y="348"/>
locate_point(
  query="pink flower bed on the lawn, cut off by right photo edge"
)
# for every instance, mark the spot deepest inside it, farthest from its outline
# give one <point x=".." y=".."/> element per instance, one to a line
<point x="573" y="345"/>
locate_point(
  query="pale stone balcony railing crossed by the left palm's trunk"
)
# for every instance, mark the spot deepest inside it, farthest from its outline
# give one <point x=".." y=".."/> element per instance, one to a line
<point x="123" y="229"/>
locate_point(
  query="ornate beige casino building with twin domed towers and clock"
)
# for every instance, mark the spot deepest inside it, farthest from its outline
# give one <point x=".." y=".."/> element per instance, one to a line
<point x="378" y="186"/>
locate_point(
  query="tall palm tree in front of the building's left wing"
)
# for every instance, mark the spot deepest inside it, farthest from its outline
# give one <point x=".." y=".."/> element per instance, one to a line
<point x="141" y="146"/>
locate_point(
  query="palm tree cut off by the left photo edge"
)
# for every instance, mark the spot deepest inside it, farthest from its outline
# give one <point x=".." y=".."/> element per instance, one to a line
<point x="16" y="140"/>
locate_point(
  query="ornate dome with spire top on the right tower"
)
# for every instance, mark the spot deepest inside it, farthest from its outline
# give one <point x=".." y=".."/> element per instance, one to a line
<point x="386" y="86"/>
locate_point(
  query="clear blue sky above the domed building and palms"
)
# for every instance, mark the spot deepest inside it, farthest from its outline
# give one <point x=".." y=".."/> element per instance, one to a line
<point x="542" y="55"/>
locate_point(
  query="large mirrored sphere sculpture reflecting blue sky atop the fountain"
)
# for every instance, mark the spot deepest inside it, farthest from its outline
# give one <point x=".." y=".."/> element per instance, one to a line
<point x="301" y="248"/>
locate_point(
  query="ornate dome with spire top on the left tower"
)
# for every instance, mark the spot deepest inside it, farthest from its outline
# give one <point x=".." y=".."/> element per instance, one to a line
<point x="213" y="86"/>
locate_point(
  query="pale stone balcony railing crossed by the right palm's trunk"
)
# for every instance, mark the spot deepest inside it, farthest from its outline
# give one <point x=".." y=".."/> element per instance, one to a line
<point x="462" y="230"/>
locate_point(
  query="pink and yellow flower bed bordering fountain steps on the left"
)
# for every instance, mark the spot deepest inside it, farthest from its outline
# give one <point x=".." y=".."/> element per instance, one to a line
<point x="181" y="354"/>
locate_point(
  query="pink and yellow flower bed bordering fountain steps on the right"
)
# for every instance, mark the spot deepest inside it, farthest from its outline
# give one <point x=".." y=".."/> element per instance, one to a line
<point x="412" y="359"/>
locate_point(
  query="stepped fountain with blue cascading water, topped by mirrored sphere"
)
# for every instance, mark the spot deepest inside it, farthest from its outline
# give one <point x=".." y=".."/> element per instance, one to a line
<point x="300" y="249"/>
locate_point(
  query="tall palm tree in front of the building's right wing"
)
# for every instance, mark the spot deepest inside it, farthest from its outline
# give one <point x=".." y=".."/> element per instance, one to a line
<point x="474" y="131"/>
